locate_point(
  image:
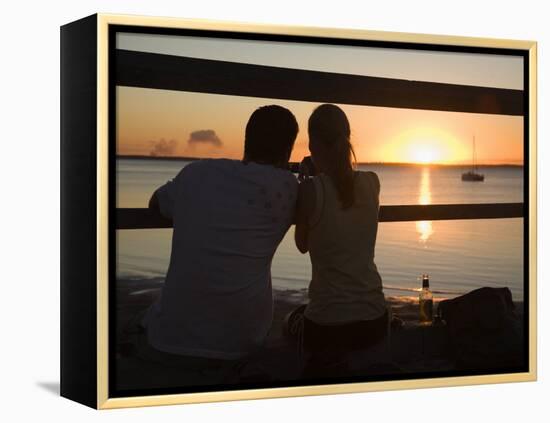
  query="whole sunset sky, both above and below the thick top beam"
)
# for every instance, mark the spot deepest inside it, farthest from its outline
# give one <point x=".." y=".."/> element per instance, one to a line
<point x="145" y="117"/>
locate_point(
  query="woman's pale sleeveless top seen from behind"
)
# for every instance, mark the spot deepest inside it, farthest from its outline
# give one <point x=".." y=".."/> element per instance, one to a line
<point x="345" y="285"/>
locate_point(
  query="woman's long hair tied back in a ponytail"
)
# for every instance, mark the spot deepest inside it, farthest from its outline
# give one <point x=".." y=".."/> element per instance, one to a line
<point x="329" y="126"/>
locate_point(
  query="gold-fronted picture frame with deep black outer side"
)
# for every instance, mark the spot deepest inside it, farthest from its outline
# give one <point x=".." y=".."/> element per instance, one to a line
<point x="85" y="374"/>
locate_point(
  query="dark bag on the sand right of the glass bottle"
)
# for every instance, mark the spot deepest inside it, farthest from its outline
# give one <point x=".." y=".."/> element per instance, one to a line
<point x="485" y="330"/>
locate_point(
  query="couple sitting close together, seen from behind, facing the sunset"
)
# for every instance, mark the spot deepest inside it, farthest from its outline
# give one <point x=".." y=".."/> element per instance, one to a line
<point x="216" y="306"/>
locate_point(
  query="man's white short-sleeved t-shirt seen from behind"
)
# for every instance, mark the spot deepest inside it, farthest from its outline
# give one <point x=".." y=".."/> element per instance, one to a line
<point x="229" y="217"/>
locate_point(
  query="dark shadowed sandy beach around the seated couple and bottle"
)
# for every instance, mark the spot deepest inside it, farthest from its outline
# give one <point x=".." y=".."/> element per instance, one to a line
<point x="411" y="349"/>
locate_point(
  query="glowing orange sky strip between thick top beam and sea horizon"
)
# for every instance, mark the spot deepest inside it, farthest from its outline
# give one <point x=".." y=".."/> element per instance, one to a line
<point x="146" y="116"/>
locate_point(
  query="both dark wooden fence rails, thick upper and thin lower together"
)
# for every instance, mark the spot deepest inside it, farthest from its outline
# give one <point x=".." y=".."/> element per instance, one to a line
<point x="158" y="71"/>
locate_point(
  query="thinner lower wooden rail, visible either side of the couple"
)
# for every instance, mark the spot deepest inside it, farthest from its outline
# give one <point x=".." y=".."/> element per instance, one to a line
<point x="145" y="219"/>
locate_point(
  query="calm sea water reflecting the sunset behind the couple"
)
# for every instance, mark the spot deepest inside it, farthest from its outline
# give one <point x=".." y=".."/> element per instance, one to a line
<point x="459" y="255"/>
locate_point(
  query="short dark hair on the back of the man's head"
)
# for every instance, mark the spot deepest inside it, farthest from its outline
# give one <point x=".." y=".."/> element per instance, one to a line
<point x="270" y="135"/>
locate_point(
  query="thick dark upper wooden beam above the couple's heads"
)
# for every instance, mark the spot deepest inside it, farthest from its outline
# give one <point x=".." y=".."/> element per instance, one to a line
<point x="160" y="71"/>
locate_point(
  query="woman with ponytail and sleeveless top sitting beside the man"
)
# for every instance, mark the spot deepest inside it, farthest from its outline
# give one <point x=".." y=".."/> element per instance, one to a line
<point x="337" y="222"/>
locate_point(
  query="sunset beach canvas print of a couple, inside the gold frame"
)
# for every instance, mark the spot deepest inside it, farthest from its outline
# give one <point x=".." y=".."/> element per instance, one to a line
<point x="295" y="212"/>
